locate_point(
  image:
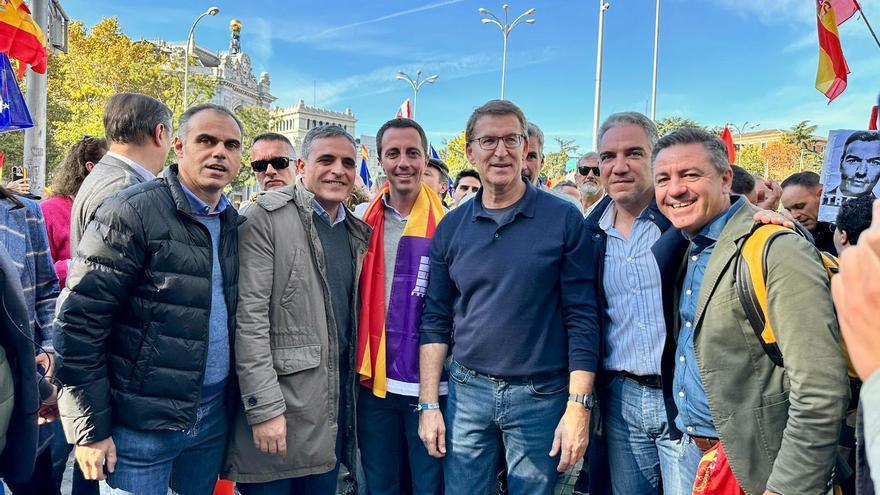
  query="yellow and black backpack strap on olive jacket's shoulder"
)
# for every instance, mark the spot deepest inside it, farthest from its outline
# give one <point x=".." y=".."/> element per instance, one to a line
<point x="751" y="285"/>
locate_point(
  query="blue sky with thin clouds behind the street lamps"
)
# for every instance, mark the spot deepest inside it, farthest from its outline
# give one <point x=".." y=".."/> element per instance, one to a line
<point x="720" y="60"/>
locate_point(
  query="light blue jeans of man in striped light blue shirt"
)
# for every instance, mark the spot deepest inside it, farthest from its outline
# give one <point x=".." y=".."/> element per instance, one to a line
<point x="640" y="450"/>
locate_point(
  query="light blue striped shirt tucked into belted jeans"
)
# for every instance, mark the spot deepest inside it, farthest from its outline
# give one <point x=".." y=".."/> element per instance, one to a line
<point x="636" y="331"/>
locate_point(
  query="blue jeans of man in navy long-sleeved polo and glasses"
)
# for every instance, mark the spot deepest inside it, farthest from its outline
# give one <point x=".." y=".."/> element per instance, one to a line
<point x="486" y="417"/>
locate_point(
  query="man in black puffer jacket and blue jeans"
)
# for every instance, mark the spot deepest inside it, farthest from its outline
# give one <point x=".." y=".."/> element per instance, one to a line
<point x="144" y="339"/>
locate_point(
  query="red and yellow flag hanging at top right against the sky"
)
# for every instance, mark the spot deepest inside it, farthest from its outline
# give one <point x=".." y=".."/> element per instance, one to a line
<point x="831" y="76"/>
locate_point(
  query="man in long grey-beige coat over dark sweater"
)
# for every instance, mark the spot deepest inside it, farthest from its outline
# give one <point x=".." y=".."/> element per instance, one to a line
<point x="301" y="255"/>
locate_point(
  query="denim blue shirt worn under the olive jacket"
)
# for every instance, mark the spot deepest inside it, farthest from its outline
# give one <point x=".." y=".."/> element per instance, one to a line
<point x="694" y="416"/>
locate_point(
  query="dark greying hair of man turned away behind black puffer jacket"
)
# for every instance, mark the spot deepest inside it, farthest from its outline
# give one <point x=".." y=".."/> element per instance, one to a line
<point x="131" y="118"/>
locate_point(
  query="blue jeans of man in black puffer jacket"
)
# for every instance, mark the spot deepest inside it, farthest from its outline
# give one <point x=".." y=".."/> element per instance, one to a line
<point x="148" y="462"/>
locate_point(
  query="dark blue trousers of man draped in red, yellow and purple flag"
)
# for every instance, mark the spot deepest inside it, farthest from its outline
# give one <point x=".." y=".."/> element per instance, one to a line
<point x="384" y="426"/>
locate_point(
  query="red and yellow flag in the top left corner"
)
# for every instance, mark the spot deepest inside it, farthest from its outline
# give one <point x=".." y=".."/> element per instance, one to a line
<point x="21" y="38"/>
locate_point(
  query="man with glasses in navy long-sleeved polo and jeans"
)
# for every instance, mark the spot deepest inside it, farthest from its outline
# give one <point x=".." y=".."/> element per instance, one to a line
<point x="522" y="357"/>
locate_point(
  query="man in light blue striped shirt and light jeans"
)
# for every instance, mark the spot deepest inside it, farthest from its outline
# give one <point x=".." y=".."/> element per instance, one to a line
<point x="623" y="227"/>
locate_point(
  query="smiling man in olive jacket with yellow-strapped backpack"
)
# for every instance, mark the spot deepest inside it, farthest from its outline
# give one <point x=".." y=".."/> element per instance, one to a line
<point x="778" y="426"/>
